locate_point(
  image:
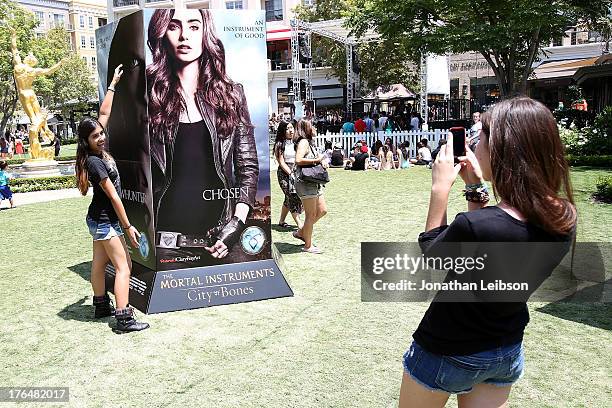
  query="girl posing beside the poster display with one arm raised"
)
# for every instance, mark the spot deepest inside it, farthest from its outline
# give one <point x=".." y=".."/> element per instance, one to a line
<point x="106" y="217"/>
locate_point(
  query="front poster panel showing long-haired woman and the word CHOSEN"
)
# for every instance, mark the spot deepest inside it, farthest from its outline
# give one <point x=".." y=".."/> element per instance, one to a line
<point x="206" y="77"/>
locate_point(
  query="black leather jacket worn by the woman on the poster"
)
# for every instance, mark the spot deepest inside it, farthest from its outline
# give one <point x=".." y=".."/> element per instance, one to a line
<point x="235" y="157"/>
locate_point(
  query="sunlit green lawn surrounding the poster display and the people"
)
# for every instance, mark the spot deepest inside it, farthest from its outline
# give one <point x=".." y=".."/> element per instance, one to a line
<point x="321" y="348"/>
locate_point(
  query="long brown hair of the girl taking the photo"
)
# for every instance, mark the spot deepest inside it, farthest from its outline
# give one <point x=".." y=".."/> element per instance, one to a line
<point x="528" y="166"/>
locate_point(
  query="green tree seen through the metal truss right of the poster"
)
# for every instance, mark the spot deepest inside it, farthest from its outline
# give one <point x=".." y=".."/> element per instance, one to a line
<point x="381" y="63"/>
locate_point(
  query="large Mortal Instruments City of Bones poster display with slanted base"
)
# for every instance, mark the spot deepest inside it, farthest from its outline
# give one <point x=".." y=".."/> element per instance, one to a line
<point x="193" y="155"/>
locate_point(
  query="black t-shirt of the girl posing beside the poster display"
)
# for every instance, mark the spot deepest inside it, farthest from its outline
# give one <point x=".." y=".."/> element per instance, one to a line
<point x="98" y="169"/>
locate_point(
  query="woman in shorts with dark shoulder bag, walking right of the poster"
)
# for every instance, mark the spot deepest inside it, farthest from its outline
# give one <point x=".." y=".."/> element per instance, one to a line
<point x="310" y="193"/>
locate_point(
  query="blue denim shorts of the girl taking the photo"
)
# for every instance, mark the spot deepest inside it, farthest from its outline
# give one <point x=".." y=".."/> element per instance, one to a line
<point x="501" y="366"/>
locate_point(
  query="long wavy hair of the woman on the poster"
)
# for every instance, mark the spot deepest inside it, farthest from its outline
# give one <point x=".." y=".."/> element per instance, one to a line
<point x="165" y="100"/>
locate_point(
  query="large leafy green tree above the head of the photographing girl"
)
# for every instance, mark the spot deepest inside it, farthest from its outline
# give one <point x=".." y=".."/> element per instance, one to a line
<point x="508" y="34"/>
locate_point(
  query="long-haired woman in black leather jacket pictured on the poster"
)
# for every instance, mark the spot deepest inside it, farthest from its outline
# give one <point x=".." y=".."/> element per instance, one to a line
<point x="205" y="167"/>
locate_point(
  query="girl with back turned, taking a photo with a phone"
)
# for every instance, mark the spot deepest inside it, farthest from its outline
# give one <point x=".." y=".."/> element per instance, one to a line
<point x="475" y="349"/>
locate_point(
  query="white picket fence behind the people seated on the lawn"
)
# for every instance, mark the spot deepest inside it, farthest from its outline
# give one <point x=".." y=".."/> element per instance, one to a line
<point x="348" y="140"/>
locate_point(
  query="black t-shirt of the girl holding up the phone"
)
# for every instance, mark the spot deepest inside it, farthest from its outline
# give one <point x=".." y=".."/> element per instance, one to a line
<point x="465" y="328"/>
